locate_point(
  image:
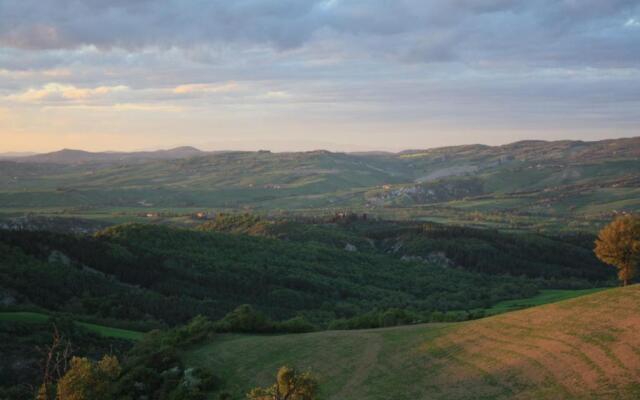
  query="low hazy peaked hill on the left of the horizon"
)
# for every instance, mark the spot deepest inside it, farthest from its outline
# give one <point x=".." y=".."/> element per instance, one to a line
<point x="69" y="156"/>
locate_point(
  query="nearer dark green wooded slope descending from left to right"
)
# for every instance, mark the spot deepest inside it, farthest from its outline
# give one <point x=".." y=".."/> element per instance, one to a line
<point x="169" y="275"/>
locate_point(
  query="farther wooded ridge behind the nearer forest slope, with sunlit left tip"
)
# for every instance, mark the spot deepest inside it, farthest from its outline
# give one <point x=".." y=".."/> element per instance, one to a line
<point x="481" y="250"/>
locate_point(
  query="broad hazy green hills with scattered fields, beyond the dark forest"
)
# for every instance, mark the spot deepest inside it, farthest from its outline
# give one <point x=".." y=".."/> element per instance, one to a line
<point x="565" y="185"/>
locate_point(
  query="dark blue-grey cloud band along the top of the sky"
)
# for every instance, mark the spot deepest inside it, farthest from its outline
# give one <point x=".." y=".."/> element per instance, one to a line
<point x="547" y="31"/>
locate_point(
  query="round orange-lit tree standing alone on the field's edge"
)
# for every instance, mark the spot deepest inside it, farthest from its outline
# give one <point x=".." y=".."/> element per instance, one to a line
<point x="618" y="244"/>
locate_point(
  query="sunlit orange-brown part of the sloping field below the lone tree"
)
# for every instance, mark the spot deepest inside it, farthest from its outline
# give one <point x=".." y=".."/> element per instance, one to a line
<point x="583" y="348"/>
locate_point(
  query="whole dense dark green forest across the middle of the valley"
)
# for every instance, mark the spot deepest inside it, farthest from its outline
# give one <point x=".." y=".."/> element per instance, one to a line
<point x="320" y="271"/>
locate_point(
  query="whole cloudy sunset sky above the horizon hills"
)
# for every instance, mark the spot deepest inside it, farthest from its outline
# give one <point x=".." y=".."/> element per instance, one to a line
<point x="346" y="75"/>
